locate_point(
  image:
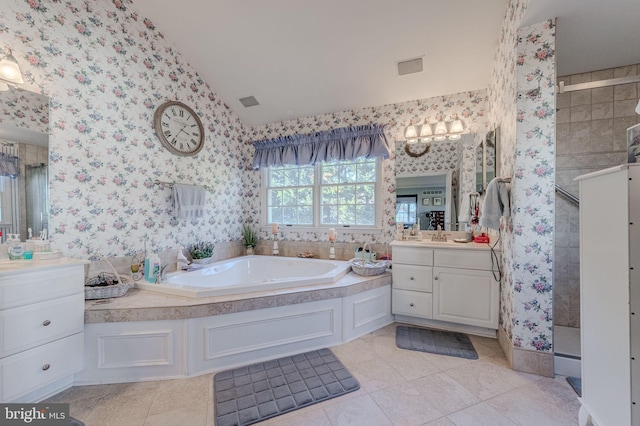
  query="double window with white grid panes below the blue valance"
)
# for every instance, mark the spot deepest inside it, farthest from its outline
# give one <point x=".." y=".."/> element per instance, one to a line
<point x="337" y="193"/>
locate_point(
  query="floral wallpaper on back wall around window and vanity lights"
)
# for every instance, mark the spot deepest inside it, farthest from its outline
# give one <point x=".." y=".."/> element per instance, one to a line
<point x="442" y="156"/>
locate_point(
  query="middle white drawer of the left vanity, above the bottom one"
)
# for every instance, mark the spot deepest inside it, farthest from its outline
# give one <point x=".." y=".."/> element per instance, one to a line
<point x="28" y="326"/>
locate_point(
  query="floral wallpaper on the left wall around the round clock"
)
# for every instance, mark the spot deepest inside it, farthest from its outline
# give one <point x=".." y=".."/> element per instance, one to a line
<point x="106" y="70"/>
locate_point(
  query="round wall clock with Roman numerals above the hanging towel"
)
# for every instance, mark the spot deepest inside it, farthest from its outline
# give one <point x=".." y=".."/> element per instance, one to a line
<point x="179" y="128"/>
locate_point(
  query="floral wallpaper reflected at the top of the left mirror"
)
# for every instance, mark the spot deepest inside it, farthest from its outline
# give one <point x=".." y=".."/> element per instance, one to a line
<point x="24" y="109"/>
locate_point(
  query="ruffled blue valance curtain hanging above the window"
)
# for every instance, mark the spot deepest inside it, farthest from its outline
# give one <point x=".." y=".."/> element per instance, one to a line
<point x="345" y="143"/>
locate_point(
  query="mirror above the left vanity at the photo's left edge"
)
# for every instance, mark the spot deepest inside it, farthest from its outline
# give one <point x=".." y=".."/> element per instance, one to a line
<point x="24" y="133"/>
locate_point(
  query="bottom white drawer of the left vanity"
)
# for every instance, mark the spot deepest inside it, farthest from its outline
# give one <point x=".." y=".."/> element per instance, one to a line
<point x="29" y="370"/>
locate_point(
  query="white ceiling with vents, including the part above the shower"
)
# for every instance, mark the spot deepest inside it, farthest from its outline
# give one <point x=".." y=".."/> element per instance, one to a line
<point x="302" y="58"/>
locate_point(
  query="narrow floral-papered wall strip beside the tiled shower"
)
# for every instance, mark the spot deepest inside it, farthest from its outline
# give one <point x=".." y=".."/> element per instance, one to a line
<point x="533" y="193"/>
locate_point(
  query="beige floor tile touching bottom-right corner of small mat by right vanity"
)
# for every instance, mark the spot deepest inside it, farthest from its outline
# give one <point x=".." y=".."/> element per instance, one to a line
<point x="481" y="378"/>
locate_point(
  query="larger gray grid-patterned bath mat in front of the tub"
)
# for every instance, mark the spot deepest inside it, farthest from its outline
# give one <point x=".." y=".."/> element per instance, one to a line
<point x="251" y="394"/>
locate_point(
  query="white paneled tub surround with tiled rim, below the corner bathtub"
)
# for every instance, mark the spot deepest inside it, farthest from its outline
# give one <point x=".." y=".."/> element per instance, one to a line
<point x="148" y="336"/>
